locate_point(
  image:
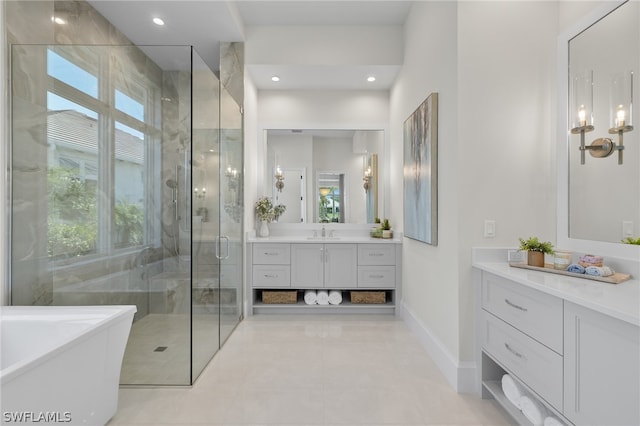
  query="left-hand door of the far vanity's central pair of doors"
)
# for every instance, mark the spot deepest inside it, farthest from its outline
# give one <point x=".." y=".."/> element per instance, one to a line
<point x="307" y="265"/>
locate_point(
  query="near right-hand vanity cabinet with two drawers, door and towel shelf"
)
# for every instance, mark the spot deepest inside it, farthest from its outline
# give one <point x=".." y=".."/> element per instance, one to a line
<point x="582" y="364"/>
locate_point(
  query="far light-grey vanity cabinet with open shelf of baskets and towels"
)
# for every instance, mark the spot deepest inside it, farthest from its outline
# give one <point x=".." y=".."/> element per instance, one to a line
<point x="344" y="266"/>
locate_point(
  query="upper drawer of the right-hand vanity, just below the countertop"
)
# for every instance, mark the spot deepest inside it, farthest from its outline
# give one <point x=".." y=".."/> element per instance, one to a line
<point x="536" y="314"/>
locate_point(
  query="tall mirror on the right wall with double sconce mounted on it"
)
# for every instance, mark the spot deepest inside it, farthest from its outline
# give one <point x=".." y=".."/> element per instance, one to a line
<point x="604" y="196"/>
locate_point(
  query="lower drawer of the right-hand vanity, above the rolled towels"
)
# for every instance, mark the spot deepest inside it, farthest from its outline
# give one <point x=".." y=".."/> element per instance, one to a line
<point x="535" y="364"/>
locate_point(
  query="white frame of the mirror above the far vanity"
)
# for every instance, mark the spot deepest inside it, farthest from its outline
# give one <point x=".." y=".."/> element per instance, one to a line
<point x="384" y="162"/>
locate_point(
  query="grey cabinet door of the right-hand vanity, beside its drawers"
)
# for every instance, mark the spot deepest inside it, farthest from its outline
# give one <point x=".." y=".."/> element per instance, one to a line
<point x="601" y="368"/>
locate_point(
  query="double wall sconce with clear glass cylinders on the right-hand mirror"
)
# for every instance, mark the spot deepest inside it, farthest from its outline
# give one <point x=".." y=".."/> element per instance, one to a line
<point x="621" y="103"/>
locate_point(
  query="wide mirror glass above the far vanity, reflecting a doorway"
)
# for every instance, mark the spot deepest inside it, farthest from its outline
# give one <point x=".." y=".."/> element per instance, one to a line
<point x="325" y="176"/>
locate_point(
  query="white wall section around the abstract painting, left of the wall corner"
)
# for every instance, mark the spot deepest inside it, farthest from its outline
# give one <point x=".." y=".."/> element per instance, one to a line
<point x="430" y="273"/>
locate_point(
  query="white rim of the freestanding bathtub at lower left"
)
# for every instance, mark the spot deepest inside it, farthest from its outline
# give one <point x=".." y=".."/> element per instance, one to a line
<point x="117" y="313"/>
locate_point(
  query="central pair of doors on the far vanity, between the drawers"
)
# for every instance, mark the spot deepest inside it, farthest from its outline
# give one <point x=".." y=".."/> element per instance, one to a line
<point x="331" y="266"/>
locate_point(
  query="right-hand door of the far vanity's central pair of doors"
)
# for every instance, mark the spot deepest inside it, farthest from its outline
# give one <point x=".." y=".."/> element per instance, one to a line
<point x="341" y="266"/>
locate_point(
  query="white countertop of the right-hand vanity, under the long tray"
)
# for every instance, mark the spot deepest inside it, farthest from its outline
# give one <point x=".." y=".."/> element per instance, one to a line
<point x="621" y="301"/>
